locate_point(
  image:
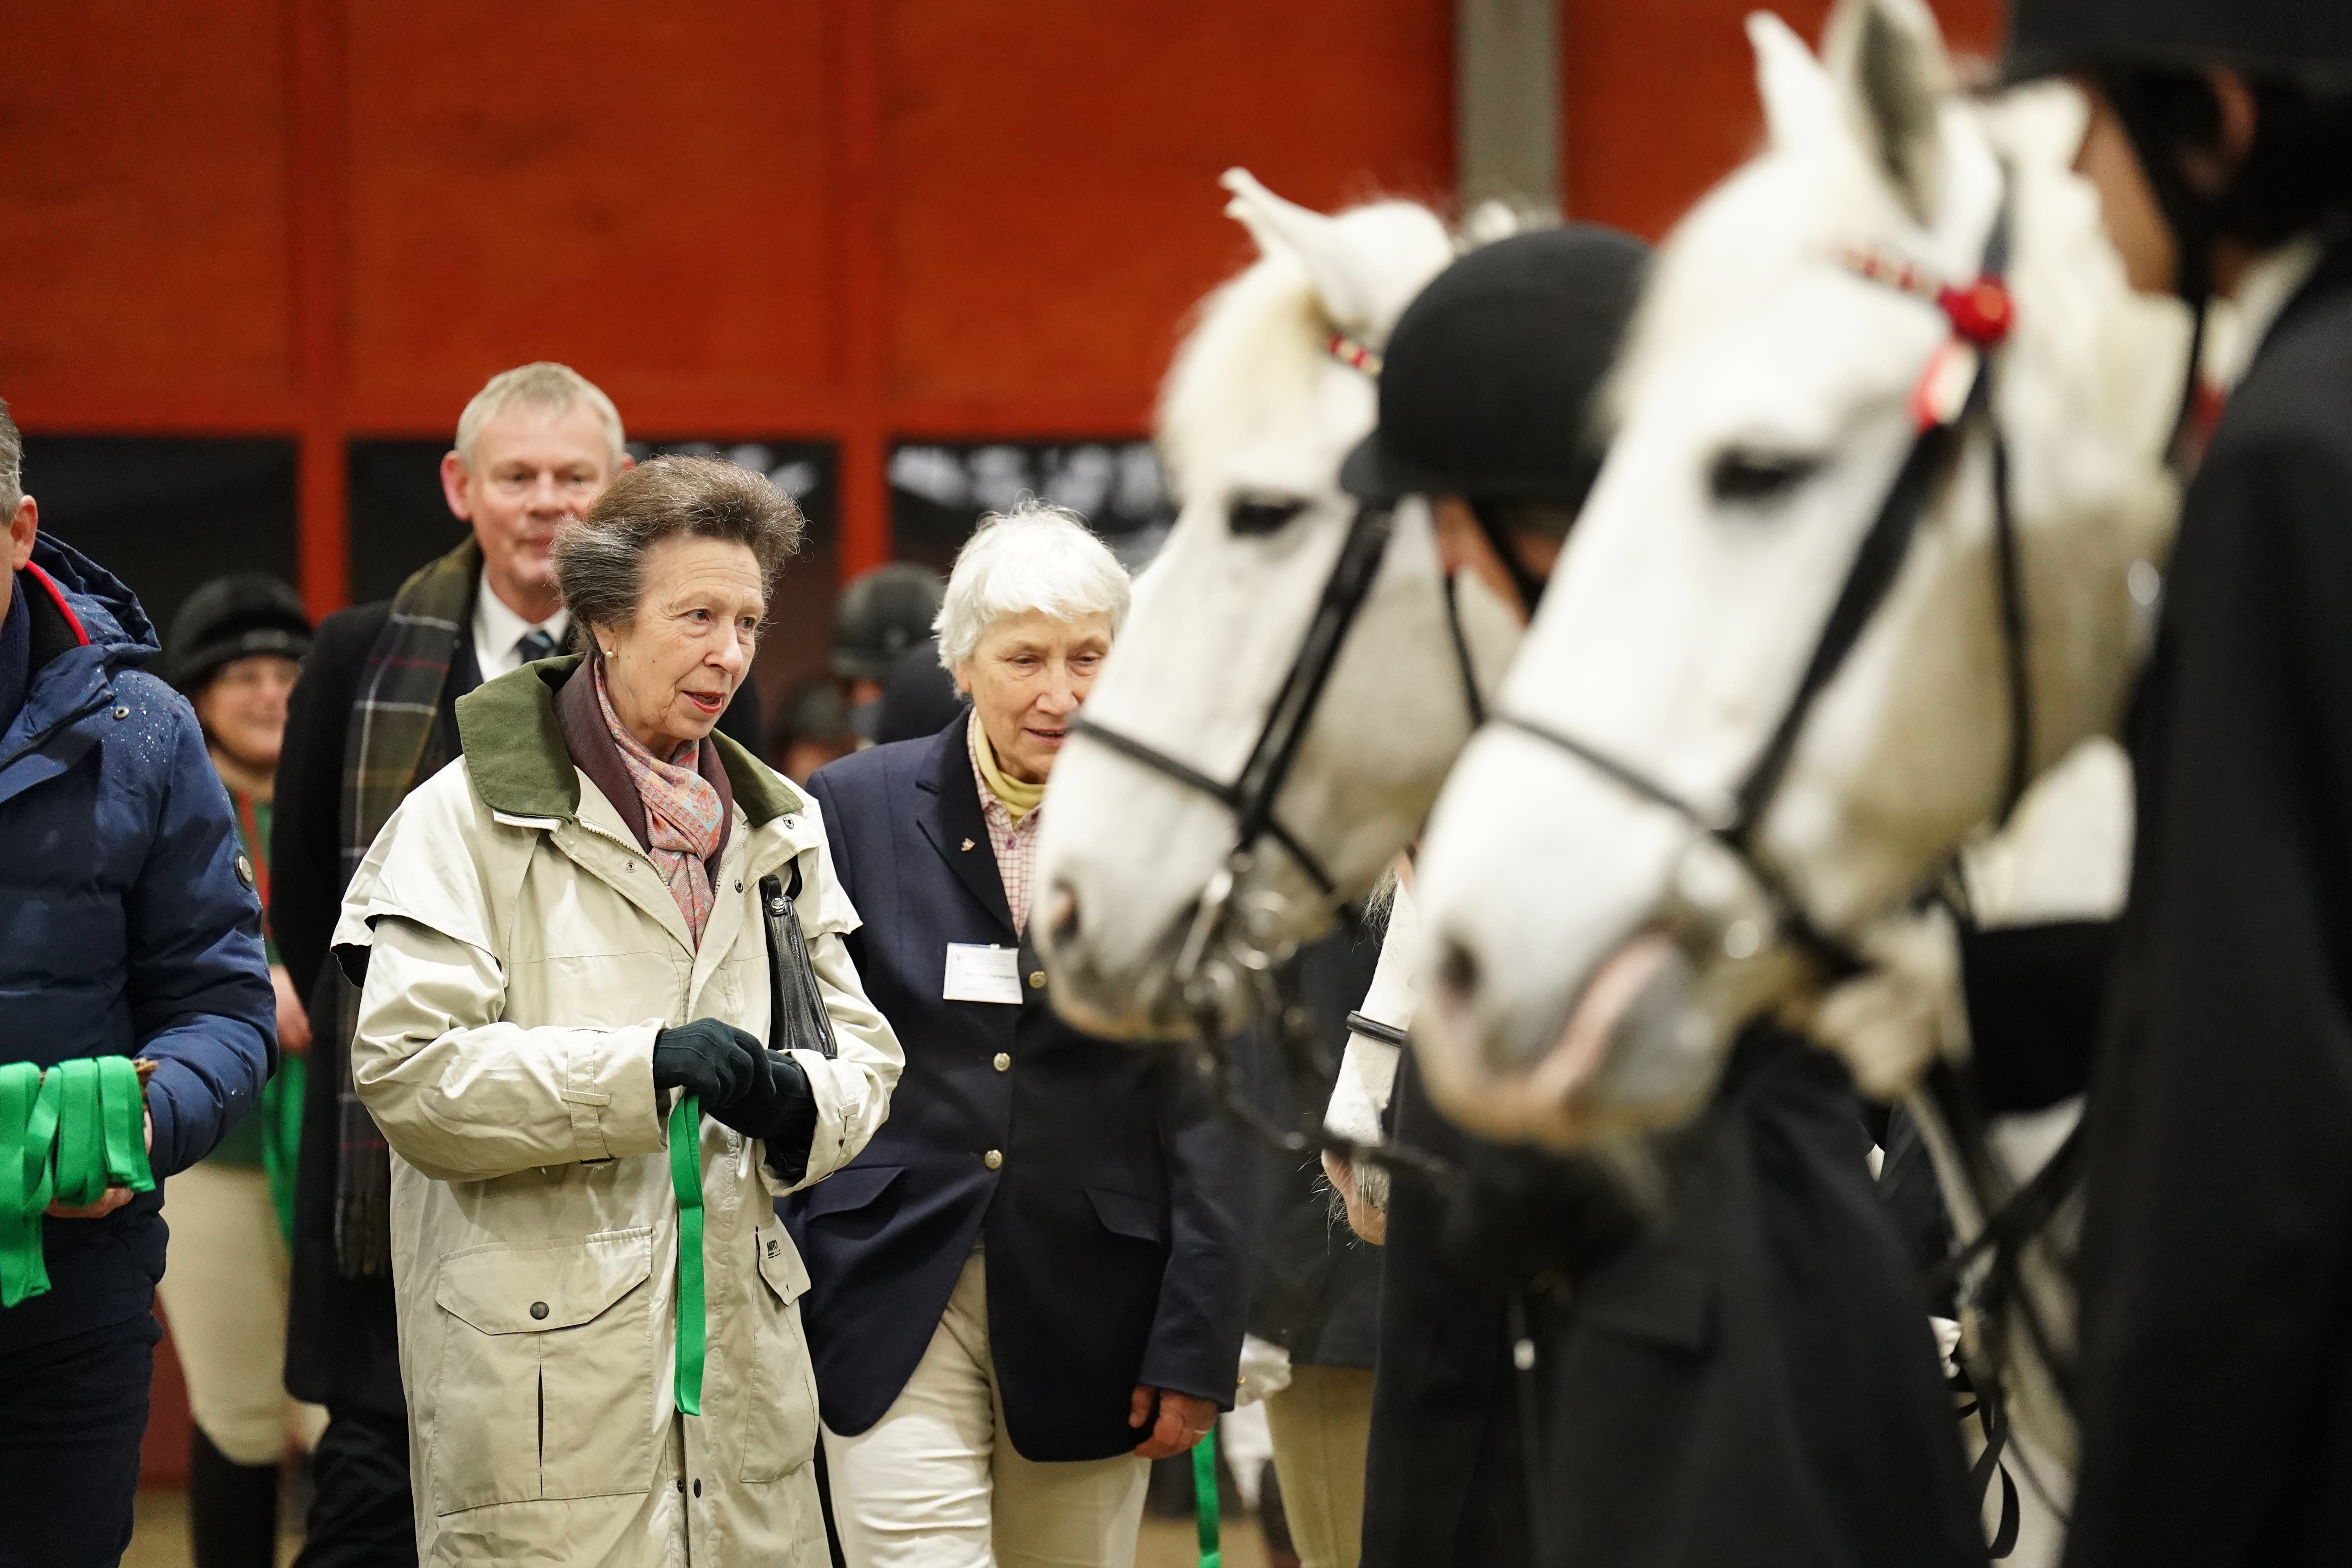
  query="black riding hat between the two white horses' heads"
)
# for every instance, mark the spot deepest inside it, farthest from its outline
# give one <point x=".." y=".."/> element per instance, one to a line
<point x="1490" y="373"/>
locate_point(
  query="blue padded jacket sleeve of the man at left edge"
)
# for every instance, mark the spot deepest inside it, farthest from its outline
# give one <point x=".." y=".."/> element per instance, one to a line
<point x="199" y="981"/>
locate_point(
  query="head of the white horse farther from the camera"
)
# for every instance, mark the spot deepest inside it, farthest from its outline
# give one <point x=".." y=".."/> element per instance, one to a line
<point x="1264" y="401"/>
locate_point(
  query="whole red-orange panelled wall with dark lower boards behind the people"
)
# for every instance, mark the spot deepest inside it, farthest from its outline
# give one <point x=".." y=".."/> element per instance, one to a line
<point x="909" y="257"/>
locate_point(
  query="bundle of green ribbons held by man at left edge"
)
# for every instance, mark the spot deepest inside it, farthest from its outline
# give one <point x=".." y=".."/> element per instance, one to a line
<point x="67" y="1134"/>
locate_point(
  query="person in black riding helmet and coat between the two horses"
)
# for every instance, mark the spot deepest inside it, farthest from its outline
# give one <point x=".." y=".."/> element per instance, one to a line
<point x="1561" y="1376"/>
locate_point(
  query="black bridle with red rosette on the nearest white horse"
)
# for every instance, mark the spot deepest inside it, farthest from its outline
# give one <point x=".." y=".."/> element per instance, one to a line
<point x="1944" y="408"/>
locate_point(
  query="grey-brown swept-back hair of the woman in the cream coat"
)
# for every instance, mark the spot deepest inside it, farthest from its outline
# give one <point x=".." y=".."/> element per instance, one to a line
<point x="601" y="558"/>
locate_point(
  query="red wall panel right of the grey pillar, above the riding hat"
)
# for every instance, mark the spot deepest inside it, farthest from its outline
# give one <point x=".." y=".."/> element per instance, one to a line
<point x="1659" y="98"/>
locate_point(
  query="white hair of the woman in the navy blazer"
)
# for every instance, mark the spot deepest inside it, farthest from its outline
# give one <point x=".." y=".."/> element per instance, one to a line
<point x="1031" y="558"/>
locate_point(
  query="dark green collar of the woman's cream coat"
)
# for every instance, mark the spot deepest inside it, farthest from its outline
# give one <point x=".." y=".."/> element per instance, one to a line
<point x="521" y="765"/>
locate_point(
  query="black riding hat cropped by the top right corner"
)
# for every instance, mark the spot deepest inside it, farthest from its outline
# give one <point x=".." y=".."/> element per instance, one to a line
<point x="2294" y="39"/>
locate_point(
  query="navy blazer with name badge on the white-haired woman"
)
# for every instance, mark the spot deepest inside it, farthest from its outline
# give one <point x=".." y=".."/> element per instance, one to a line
<point x="1116" y="1214"/>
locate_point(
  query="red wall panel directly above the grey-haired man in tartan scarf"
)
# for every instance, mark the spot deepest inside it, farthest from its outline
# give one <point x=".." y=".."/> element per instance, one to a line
<point x="634" y="189"/>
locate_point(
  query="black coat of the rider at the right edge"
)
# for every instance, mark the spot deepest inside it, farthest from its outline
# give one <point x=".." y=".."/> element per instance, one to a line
<point x="2219" y="1233"/>
